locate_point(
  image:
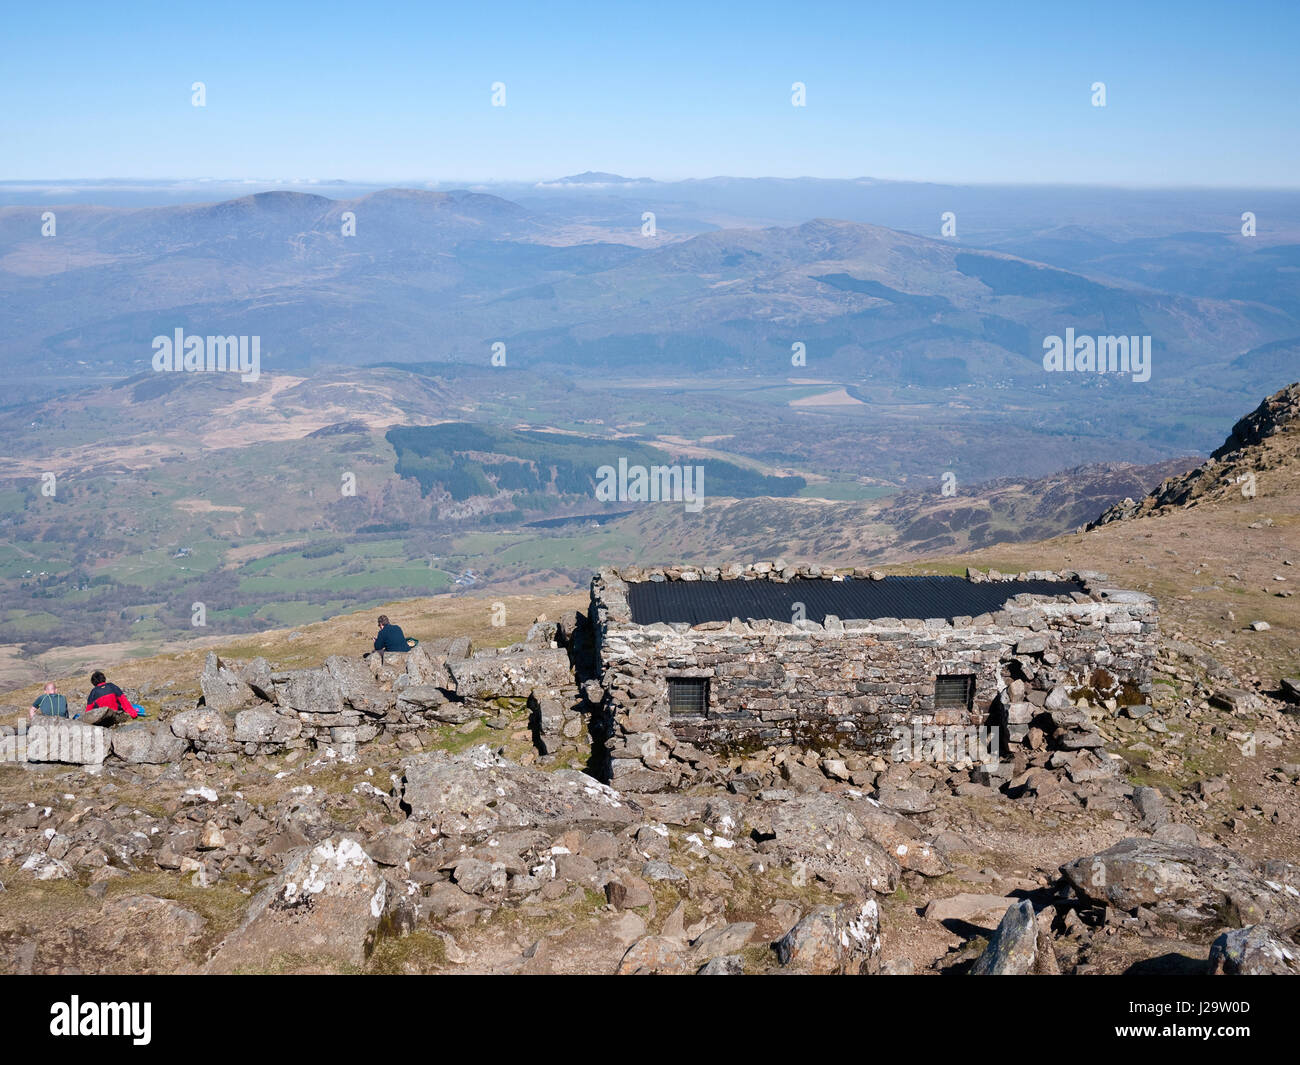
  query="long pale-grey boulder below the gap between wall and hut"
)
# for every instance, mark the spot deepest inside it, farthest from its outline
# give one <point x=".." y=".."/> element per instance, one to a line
<point x="478" y="791"/>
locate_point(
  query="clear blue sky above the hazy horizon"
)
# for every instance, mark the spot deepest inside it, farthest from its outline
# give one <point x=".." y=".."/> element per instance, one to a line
<point x="1198" y="94"/>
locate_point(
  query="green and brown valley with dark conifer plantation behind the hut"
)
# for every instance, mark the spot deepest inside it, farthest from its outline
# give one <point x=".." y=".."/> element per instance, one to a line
<point x="306" y="496"/>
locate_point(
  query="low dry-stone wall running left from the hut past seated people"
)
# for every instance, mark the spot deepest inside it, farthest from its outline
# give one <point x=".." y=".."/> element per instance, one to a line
<point x="253" y="709"/>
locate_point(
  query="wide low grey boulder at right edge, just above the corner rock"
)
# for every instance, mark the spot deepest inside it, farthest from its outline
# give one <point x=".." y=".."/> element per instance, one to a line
<point x="1193" y="886"/>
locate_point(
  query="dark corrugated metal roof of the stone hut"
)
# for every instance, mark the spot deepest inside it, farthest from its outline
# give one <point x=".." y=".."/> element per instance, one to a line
<point x="894" y="598"/>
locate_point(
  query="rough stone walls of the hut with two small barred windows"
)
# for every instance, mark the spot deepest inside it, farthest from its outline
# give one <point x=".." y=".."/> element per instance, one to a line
<point x="850" y="685"/>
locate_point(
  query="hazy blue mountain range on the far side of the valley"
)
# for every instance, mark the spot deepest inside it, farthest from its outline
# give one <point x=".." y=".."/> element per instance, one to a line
<point x="447" y="275"/>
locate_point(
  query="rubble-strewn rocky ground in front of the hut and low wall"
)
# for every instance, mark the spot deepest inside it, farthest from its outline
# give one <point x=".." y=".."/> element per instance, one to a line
<point x="460" y="847"/>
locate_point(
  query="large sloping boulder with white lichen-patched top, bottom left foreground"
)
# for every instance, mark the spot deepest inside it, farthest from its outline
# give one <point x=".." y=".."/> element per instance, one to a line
<point x="319" y="912"/>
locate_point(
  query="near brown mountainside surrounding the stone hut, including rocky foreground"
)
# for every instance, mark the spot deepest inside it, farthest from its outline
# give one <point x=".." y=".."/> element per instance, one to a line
<point x="1206" y="791"/>
